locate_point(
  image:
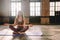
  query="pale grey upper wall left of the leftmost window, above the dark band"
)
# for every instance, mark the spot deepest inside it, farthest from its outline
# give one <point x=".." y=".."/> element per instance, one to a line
<point x="5" y="7"/>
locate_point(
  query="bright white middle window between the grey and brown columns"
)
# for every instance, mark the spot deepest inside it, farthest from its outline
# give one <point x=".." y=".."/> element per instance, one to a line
<point x="34" y="8"/>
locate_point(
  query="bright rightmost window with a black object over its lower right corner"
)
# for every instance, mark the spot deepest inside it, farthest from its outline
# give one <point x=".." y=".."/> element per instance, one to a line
<point x="54" y="6"/>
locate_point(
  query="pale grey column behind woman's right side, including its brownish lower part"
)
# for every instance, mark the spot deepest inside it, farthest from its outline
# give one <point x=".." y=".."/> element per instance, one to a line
<point x="25" y="7"/>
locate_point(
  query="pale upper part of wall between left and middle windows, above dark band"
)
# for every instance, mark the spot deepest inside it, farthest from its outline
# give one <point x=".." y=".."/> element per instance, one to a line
<point x="25" y="7"/>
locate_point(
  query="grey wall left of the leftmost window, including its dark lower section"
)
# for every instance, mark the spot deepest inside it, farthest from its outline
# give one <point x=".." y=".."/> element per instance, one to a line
<point x="4" y="10"/>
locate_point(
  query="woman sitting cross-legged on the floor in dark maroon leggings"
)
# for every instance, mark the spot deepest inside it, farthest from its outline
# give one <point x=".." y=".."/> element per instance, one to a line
<point x="20" y="23"/>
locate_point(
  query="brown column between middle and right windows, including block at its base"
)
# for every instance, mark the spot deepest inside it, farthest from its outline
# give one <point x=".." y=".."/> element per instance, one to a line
<point x="45" y="11"/>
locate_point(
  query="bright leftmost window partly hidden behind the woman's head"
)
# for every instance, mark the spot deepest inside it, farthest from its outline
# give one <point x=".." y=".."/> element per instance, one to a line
<point x="15" y="7"/>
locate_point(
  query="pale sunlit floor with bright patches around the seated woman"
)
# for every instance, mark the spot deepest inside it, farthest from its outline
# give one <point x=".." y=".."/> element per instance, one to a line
<point x="37" y="32"/>
